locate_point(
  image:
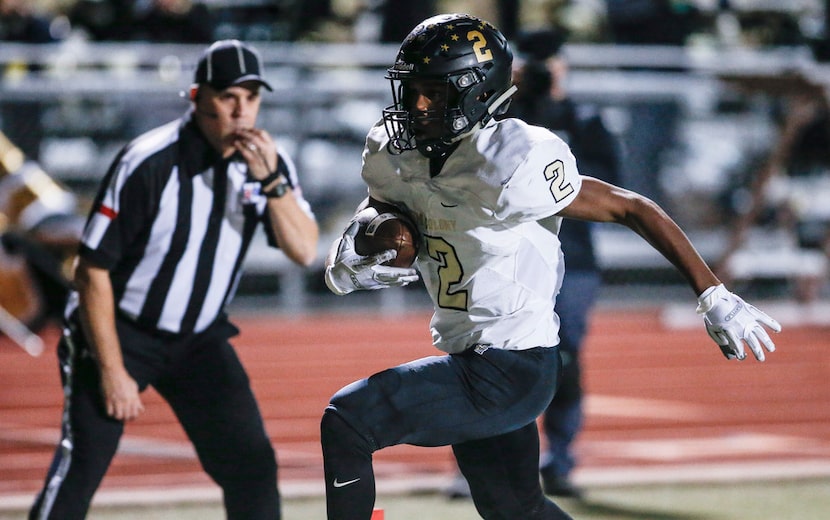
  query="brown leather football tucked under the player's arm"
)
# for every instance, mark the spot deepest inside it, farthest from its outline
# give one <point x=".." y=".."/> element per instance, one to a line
<point x="382" y="230"/>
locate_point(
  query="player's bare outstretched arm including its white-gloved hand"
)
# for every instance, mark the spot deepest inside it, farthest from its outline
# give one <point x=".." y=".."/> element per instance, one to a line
<point x="729" y="320"/>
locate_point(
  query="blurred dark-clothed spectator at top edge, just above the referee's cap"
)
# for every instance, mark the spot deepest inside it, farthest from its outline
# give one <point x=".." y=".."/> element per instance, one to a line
<point x="172" y="21"/>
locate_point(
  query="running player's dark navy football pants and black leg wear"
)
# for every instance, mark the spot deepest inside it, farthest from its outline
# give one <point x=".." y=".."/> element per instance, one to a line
<point x="484" y="405"/>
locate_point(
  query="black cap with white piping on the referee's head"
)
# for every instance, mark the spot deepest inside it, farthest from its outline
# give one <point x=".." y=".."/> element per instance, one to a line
<point x="229" y="62"/>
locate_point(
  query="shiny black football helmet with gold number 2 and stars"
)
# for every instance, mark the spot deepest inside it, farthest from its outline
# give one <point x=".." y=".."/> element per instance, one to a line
<point x="471" y="57"/>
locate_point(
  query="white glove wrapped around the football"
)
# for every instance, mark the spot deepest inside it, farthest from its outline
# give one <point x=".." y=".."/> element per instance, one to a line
<point x="349" y="271"/>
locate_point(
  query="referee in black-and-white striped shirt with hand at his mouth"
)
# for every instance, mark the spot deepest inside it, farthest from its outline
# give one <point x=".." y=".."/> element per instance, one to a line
<point x="159" y="259"/>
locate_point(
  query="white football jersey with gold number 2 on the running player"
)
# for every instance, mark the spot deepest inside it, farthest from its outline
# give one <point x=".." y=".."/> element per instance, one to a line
<point x="489" y="253"/>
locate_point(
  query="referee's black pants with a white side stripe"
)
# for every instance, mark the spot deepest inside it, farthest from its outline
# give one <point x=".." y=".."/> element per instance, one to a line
<point x="204" y="382"/>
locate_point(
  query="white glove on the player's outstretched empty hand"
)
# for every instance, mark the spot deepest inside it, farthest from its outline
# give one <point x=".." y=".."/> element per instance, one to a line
<point x="730" y="321"/>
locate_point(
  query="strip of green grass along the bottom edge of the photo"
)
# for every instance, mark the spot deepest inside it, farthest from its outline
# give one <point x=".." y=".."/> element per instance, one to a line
<point x="807" y="499"/>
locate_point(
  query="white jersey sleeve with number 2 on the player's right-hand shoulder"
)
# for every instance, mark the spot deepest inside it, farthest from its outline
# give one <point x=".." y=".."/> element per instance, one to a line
<point x="544" y="183"/>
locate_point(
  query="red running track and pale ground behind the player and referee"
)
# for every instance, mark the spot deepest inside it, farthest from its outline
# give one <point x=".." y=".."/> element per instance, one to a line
<point x="672" y="430"/>
